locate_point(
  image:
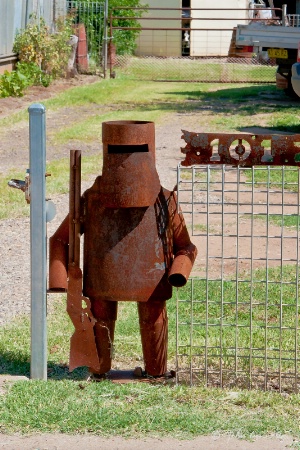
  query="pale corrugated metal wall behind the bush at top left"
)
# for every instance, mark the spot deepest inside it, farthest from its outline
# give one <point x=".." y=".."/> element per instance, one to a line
<point x="14" y="15"/>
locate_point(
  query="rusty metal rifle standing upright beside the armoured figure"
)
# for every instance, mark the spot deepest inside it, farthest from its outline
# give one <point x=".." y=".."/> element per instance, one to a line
<point x="83" y="351"/>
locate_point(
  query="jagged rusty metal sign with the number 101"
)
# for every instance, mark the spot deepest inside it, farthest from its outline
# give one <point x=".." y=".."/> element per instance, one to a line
<point x="231" y="149"/>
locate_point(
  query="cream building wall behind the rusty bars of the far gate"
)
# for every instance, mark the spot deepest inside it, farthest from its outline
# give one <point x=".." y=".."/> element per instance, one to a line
<point x="215" y="41"/>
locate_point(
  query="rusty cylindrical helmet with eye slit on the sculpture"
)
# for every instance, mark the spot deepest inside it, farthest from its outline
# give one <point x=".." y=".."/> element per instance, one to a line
<point x="129" y="176"/>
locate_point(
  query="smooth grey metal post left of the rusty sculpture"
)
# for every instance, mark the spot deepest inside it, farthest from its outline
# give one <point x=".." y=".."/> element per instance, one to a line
<point x="37" y="142"/>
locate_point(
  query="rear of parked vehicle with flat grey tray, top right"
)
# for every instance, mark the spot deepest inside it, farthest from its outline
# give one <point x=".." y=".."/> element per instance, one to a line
<point x="274" y="37"/>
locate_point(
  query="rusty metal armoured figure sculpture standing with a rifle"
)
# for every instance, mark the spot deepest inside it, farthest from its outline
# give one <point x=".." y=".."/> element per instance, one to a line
<point x="136" y="247"/>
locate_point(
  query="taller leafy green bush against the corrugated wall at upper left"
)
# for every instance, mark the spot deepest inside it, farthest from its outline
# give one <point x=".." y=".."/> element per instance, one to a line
<point x="48" y="51"/>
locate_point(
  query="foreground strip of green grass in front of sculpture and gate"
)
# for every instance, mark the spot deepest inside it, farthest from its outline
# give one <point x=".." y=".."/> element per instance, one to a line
<point x="139" y="410"/>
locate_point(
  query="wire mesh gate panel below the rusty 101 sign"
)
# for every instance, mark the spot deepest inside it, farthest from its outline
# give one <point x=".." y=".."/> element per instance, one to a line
<point x="238" y="318"/>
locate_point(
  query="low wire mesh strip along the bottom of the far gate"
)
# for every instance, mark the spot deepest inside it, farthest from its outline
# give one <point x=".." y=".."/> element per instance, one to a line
<point x="211" y="70"/>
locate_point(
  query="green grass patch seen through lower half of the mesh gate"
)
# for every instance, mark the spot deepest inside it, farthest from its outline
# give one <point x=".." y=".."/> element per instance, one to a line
<point x="263" y="318"/>
